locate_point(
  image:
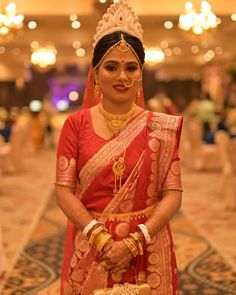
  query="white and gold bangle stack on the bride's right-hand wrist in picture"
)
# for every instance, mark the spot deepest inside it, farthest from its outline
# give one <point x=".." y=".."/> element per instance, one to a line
<point x="136" y="241"/>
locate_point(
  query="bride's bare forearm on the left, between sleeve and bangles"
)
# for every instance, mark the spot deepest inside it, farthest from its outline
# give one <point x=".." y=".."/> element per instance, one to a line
<point x="72" y="207"/>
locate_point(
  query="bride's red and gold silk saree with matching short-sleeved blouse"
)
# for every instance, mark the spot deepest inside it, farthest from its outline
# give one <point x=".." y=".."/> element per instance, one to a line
<point x="150" y="142"/>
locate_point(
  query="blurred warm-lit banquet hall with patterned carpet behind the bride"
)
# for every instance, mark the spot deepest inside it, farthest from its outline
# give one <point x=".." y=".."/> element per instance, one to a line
<point x="190" y="70"/>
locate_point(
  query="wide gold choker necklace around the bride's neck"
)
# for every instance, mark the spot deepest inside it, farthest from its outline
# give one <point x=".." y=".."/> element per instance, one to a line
<point x="116" y="123"/>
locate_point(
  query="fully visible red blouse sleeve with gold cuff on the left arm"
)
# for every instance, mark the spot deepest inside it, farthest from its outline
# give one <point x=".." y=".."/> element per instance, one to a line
<point x="67" y="153"/>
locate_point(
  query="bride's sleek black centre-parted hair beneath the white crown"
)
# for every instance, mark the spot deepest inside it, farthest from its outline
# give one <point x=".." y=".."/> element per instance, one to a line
<point x="109" y="40"/>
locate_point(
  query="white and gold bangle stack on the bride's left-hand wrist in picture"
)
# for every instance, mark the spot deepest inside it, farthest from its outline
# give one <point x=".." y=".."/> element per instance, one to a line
<point x="96" y="234"/>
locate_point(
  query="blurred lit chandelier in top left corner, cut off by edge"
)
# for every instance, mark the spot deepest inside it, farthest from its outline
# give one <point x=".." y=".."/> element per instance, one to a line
<point x="10" y="21"/>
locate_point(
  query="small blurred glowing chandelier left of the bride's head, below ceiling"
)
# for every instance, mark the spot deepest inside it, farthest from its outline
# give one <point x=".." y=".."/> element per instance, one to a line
<point x="43" y="58"/>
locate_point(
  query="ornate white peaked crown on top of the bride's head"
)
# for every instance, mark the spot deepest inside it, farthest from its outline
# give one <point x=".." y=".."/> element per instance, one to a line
<point x="119" y="17"/>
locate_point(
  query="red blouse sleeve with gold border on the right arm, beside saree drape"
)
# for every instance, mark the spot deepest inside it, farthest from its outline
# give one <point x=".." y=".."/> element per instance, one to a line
<point x="173" y="178"/>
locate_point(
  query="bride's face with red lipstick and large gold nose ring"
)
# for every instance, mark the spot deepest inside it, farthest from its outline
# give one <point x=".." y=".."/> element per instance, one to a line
<point x="118" y="70"/>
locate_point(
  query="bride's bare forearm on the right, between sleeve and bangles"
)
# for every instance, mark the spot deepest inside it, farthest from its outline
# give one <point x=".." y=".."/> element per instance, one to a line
<point x="164" y="211"/>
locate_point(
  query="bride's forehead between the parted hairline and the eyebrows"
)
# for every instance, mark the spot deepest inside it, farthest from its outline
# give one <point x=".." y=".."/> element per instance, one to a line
<point x="117" y="55"/>
